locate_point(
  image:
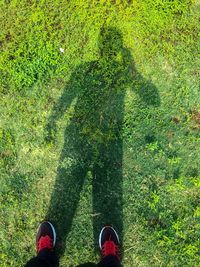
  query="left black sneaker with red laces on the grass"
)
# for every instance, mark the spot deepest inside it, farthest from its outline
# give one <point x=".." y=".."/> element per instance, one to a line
<point x="46" y="237"/>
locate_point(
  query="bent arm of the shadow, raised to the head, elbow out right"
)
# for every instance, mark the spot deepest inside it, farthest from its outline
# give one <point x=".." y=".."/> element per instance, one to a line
<point x="145" y="89"/>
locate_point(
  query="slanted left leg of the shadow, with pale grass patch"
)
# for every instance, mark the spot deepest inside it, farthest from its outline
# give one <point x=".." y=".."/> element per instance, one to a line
<point x="73" y="167"/>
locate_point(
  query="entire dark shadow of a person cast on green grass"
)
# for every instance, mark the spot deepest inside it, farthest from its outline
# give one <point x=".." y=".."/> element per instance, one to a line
<point x="93" y="137"/>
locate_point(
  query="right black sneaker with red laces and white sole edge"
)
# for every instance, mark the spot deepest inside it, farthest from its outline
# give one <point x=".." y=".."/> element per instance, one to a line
<point x="109" y="242"/>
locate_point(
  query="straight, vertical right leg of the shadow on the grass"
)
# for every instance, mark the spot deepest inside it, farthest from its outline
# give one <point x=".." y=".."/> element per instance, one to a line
<point x="107" y="189"/>
